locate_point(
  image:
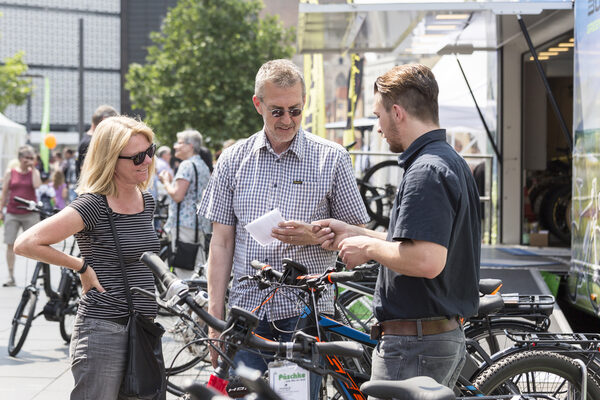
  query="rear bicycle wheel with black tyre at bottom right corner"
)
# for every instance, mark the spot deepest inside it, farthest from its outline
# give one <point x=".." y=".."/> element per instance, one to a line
<point x="542" y="372"/>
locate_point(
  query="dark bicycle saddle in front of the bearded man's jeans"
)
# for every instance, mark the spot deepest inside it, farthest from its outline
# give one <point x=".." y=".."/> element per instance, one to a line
<point x="418" y="388"/>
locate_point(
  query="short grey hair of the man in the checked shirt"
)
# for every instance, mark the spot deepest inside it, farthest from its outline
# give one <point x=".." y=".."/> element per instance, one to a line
<point x="283" y="73"/>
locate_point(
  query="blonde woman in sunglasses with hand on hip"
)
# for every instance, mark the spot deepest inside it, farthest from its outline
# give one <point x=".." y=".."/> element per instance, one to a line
<point x="120" y="166"/>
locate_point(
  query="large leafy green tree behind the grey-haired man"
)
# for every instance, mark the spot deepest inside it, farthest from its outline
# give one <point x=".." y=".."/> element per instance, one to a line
<point x="200" y="71"/>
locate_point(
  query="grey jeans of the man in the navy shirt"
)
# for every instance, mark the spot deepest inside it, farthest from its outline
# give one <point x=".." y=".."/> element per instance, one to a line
<point x="440" y="357"/>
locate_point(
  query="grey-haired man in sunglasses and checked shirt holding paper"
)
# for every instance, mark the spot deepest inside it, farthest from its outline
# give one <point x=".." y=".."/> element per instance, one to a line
<point x="282" y="166"/>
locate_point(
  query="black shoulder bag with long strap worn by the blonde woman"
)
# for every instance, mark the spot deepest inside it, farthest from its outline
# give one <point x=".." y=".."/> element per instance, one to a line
<point x="145" y="376"/>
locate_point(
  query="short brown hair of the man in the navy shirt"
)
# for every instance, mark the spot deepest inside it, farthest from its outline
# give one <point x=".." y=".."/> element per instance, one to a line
<point x="413" y="87"/>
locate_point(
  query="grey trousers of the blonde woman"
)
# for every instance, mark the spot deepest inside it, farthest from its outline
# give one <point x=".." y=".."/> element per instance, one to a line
<point x="98" y="354"/>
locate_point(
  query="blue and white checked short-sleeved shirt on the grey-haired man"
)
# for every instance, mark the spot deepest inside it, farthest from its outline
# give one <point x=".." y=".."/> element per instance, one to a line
<point x="313" y="179"/>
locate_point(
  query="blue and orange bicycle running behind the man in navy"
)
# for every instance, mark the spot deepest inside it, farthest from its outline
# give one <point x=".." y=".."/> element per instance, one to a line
<point x="563" y="370"/>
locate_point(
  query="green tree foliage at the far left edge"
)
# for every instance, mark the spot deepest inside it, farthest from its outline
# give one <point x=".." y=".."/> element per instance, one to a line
<point x="14" y="88"/>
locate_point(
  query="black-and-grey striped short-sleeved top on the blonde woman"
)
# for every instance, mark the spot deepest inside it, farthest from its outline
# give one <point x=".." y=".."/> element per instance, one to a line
<point x="97" y="245"/>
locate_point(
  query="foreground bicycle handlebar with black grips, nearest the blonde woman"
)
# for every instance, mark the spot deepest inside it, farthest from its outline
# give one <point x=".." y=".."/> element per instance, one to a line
<point x="177" y="287"/>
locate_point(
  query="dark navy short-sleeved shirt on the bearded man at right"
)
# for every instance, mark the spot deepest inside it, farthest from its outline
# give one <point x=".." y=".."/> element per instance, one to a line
<point x="437" y="201"/>
